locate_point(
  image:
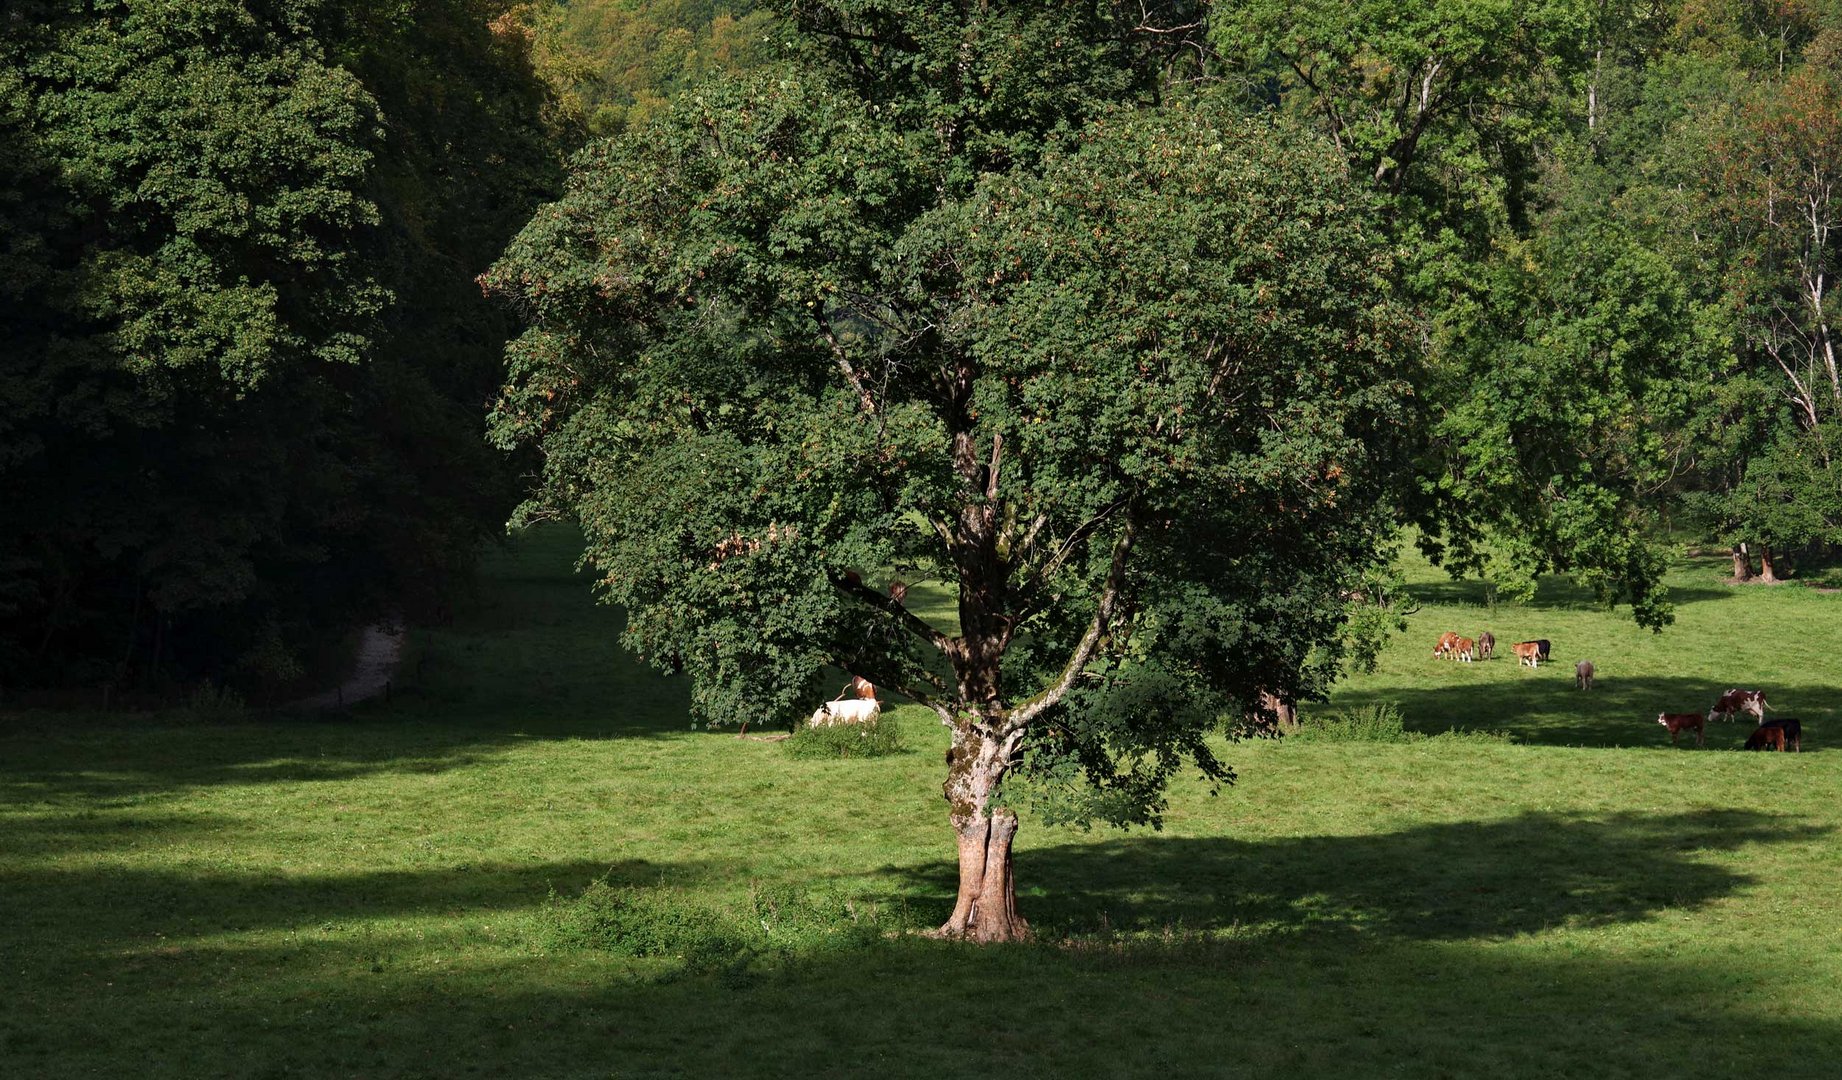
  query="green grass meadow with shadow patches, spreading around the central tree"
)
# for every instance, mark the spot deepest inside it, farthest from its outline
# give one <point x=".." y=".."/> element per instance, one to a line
<point x="397" y="891"/>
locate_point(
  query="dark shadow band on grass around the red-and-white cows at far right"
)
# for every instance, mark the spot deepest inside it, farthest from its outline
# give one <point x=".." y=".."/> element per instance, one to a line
<point x="1543" y="709"/>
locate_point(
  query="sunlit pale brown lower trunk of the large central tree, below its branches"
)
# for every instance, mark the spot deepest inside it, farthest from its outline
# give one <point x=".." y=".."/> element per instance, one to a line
<point x="986" y="908"/>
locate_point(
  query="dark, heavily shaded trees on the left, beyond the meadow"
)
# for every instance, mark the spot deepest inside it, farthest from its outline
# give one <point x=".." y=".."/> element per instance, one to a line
<point x="244" y="346"/>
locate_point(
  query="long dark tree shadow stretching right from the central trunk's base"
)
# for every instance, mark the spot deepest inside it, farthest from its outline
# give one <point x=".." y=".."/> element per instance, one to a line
<point x="1440" y="882"/>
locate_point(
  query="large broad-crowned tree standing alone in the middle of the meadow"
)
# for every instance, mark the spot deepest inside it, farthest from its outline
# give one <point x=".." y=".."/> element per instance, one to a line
<point x="957" y="303"/>
